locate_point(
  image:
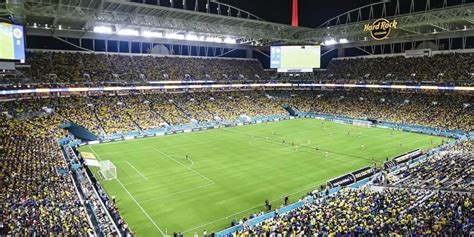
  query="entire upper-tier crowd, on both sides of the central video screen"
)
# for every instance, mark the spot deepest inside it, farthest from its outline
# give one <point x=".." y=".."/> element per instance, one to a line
<point x="84" y="67"/>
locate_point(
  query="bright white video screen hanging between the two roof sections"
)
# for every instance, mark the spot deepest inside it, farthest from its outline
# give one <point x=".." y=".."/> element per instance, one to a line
<point x="295" y="58"/>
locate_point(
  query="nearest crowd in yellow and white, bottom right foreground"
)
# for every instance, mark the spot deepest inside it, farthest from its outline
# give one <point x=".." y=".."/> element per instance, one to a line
<point x="376" y="211"/>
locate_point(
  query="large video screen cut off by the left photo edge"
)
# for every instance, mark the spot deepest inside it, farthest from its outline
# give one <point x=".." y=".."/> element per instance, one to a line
<point x="12" y="43"/>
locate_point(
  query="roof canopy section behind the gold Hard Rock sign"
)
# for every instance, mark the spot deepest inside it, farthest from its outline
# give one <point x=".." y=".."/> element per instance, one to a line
<point x="446" y="22"/>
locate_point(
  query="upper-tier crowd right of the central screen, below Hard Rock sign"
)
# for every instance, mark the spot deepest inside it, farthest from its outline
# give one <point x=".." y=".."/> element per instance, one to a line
<point x="439" y="67"/>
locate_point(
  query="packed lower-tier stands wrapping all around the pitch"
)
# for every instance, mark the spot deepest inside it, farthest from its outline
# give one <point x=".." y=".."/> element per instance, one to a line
<point x="31" y="128"/>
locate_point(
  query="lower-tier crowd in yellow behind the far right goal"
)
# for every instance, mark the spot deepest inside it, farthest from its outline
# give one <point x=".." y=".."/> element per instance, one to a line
<point x="448" y="111"/>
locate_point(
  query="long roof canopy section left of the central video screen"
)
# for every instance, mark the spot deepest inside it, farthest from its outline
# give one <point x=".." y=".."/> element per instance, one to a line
<point x="78" y="19"/>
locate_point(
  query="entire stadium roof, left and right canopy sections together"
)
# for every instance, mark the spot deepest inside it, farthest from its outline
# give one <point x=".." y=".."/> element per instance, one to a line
<point x="221" y="23"/>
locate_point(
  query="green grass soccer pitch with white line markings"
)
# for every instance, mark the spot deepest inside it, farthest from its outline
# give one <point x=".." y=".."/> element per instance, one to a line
<point x="231" y="171"/>
